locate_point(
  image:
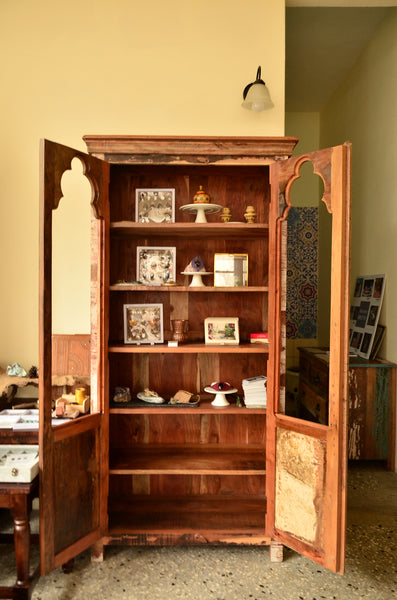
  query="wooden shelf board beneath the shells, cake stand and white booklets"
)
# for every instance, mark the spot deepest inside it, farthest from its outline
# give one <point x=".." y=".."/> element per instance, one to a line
<point x="205" y="407"/>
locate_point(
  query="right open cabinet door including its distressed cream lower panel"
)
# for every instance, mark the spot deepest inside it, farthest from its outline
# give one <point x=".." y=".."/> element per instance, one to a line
<point x="307" y="462"/>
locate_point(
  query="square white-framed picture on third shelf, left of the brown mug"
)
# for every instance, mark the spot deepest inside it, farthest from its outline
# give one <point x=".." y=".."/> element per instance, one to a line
<point x="143" y="324"/>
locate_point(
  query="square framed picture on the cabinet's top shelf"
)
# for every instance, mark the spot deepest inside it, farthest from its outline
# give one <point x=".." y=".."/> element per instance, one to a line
<point x="154" y="205"/>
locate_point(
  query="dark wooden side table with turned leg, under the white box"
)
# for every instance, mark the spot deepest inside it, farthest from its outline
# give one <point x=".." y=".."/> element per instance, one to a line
<point x="18" y="497"/>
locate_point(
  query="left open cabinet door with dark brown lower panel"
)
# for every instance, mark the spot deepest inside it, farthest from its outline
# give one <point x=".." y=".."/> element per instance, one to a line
<point x="70" y="455"/>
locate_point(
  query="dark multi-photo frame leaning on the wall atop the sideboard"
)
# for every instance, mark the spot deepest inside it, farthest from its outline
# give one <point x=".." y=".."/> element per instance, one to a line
<point x="364" y="315"/>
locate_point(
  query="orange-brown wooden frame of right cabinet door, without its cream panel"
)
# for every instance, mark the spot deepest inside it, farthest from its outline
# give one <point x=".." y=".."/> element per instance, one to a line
<point x="333" y="166"/>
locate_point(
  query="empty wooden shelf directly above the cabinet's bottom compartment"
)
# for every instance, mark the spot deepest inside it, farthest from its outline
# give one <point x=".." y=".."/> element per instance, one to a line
<point x="203" y="459"/>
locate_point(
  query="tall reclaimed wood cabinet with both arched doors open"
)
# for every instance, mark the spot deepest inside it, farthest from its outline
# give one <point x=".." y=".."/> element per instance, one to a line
<point x="193" y="475"/>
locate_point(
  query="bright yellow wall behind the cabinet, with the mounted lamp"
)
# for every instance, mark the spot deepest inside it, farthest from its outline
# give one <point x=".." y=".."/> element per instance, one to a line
<point x="127" y="66"/>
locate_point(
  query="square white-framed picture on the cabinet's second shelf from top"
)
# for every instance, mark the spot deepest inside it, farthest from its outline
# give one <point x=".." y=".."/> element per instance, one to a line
<point x="155" y="265"/>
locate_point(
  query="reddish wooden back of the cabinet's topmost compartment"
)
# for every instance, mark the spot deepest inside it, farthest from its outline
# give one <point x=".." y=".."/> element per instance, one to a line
<point x="234" y="187"/>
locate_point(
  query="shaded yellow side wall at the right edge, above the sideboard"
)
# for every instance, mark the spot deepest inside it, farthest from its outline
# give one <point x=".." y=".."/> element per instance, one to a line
<point x="364" y="110"/>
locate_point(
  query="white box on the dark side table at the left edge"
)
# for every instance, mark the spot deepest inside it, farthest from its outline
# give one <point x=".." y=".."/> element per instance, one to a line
<point x="18" y="463"/>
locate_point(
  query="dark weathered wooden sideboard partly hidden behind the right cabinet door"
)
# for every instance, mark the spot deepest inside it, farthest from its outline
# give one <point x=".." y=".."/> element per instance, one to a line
<point x="372" y="402"/>
